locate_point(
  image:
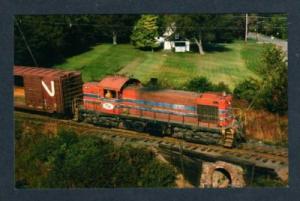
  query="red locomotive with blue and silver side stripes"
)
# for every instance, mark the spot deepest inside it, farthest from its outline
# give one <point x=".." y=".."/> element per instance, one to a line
<point x="123" y="102"/>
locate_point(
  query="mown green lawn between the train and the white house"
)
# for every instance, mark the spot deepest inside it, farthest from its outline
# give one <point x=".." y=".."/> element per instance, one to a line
<point x="230" y="63"/>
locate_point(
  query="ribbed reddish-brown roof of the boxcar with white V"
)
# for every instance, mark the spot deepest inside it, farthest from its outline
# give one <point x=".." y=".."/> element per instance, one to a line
<point x="41" y="72"/>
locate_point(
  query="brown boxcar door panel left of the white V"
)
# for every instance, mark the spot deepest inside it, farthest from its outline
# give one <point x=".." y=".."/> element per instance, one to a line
<point x="33" y="92"/>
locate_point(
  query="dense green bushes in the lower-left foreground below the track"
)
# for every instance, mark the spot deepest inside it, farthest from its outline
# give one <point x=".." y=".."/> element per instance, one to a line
<point x="72" y="161"/>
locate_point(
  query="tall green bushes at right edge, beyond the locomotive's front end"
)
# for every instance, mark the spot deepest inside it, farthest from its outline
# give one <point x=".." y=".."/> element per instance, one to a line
<point x="271" y="92"/>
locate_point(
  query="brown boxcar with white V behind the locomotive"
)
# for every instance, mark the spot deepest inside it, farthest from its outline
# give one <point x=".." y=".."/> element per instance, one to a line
<point x="45" y="89"/>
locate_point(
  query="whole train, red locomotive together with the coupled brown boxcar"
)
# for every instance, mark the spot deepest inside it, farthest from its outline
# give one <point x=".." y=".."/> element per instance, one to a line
<point x="118" y="101"/>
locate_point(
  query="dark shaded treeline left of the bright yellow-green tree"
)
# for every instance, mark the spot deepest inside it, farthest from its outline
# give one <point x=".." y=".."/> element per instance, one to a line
<point x="51" y="39"/>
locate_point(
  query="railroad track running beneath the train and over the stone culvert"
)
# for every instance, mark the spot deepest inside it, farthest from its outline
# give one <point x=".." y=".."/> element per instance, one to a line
<point x="247" y="154"/>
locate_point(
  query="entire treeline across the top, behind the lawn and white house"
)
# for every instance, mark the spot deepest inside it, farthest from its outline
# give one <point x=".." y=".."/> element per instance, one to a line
<point x="48" y="40"/>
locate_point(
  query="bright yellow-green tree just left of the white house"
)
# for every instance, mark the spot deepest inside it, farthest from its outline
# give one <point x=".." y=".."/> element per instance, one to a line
<point x="145" y="31"/>
